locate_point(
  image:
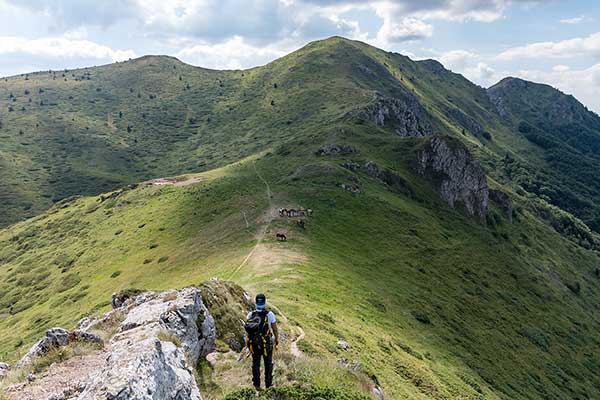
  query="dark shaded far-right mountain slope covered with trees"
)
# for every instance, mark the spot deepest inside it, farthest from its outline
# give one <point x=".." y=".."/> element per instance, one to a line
<point x="568" y="137"/>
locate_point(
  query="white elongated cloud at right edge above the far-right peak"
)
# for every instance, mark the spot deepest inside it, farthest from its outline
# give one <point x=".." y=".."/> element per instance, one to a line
<point x="584" y="46"/>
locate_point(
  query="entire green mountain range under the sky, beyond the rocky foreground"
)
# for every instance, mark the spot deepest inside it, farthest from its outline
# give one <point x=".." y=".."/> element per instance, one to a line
<point x="453" y="245"/>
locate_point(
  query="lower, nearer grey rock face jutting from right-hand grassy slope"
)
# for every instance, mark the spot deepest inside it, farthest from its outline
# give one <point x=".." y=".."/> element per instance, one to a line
<point x="459" y="177"/>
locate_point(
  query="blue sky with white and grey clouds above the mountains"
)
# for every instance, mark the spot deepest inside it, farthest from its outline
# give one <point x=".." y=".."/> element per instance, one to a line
<point x="549" y="41"/>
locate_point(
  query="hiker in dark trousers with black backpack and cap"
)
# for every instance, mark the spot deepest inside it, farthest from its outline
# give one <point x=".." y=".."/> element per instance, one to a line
<point x="261" y="338"/>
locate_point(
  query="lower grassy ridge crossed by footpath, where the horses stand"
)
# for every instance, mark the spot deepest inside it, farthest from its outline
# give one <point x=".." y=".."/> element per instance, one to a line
<point x="426" y="297"/>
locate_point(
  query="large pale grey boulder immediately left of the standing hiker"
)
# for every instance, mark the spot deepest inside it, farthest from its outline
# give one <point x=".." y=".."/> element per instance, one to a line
<point x="153" y="354"/>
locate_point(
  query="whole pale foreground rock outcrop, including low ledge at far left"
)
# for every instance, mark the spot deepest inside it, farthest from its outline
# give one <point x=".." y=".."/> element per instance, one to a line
<point x="158" y="341"/>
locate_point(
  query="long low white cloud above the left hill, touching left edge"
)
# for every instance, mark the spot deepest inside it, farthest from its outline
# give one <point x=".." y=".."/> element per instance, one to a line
<point x="61" y="47"/>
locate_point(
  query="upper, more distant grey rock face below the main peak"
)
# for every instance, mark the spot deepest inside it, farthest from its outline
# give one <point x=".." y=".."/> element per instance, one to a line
<point x="402" y="112"/>
